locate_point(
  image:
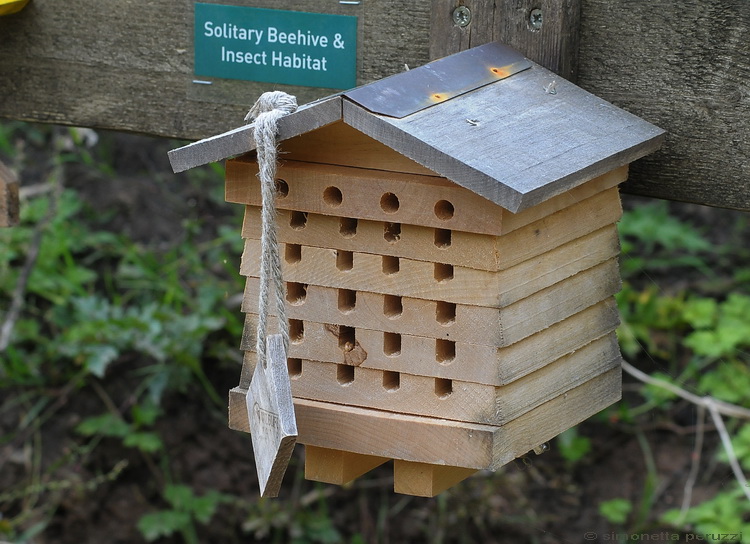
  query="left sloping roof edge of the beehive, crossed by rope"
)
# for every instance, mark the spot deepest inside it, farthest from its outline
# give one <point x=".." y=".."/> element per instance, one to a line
<point x="240" y="140"/>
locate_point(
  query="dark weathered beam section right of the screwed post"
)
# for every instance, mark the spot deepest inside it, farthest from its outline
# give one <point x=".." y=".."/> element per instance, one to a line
<point x="686" y="71"/>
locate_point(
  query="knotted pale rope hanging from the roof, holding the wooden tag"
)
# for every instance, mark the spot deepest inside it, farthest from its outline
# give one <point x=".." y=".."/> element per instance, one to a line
<point x="267" y="111"/>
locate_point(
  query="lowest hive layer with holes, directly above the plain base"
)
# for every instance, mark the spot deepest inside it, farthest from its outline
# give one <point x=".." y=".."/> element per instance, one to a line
<point x="454" y="399"/>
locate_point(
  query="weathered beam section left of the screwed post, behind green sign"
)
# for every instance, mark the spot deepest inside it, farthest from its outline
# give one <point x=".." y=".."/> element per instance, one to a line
<point x="128" y="65"/>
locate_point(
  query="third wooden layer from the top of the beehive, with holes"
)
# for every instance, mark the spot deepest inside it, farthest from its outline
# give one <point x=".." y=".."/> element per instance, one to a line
<point x="437" y="281"/>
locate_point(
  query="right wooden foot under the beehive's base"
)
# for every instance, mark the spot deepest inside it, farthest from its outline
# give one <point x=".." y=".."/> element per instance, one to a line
<point x="425" y="480"/>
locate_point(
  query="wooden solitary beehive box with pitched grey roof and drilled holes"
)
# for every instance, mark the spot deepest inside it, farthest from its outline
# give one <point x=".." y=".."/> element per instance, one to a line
<point x="450" y="255"/>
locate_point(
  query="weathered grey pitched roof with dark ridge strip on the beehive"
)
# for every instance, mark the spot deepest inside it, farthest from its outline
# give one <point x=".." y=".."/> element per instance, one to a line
<point x="516" y="141"/>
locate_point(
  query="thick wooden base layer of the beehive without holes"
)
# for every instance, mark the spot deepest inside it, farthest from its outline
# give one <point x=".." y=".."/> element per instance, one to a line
<point x="440" y="442"/>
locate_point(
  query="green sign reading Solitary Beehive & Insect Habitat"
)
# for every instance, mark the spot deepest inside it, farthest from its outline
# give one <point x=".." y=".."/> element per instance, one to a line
<point x="274" y="46"/>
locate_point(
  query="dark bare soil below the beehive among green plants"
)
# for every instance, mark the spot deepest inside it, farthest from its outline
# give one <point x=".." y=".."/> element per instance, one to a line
<point x="98" y="496"/>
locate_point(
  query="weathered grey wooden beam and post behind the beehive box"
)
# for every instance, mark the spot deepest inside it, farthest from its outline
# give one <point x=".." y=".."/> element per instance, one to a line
<point x="128" y="66"/>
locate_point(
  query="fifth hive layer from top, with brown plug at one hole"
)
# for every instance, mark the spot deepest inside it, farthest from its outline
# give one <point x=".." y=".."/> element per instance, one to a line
<point x="446" y="359"/>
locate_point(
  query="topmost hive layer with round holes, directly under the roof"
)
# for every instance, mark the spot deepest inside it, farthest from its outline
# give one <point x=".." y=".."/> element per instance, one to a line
<point x="393" y="197"/>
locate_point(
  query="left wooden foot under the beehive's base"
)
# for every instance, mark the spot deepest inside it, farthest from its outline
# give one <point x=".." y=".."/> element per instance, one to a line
<point x="337" y="467"/>
